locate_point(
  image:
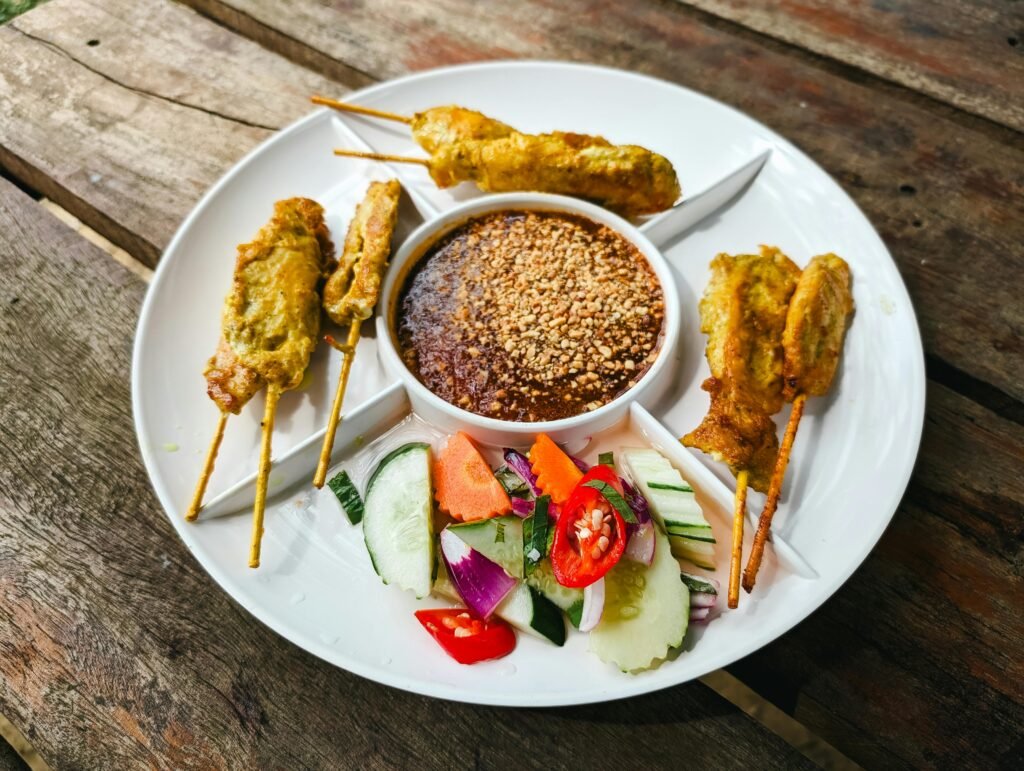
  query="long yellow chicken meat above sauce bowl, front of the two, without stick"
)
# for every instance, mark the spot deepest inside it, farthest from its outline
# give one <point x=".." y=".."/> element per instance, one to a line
<point x="626" y="179"/>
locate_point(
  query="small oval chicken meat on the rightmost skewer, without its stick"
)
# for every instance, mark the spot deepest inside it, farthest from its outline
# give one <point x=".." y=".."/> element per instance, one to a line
<point x="816" y="326"/>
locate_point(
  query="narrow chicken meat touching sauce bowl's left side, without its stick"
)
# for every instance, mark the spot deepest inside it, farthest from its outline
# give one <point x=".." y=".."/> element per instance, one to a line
<point x="352" y="292"/>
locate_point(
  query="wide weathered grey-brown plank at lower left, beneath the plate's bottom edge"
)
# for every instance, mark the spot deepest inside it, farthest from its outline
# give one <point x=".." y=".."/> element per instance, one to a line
<point x="117" y="651"/>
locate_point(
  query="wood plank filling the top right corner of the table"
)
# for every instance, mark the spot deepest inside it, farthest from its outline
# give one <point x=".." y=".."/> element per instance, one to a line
<point x="966" y="53"/>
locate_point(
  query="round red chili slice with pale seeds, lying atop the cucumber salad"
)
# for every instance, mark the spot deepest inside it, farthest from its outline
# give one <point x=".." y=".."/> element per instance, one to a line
<point x="590" y="535"/>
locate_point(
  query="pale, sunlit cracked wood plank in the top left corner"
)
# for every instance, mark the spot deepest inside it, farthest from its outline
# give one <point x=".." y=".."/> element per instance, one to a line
<point x="126" y="113"/>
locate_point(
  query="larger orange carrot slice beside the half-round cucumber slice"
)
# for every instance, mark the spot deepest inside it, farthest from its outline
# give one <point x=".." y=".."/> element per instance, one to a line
<point x="466" y="488"/>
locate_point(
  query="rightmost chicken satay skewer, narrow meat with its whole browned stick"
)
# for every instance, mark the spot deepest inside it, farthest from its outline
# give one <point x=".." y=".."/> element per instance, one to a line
<point x="816" y="327"/>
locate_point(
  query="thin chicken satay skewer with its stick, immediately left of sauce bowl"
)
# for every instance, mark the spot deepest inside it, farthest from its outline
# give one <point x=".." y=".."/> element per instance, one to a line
<point x="352" y="292"/>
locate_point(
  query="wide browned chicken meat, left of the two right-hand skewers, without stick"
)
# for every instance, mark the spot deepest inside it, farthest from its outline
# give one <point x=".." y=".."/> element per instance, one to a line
<point x="744" y="313"/>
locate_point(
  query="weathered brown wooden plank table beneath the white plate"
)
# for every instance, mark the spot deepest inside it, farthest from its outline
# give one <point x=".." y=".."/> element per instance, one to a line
<point x="117" y="651"/>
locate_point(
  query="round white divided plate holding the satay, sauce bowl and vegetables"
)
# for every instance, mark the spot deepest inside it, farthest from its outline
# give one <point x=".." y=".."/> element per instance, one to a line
<point x="852" y="459"/>
